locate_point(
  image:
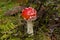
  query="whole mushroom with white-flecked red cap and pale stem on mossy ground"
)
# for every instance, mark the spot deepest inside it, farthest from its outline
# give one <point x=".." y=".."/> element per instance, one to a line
<point x="29" y="14"/>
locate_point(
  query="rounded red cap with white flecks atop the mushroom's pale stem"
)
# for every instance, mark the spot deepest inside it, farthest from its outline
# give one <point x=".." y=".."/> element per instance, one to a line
<point x="29" y="13"/>
